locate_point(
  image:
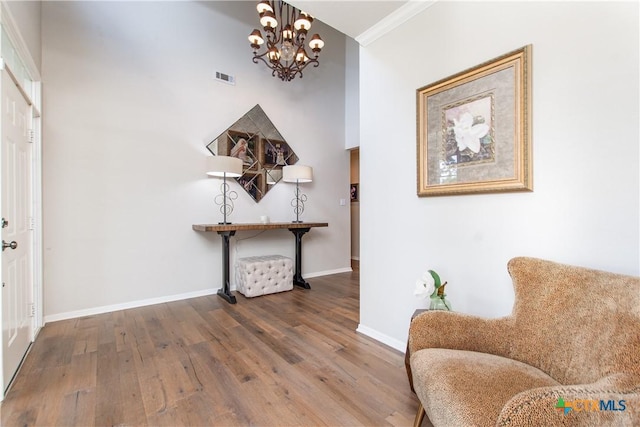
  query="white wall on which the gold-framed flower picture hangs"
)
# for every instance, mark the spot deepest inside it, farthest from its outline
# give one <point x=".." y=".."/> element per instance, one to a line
<point x="585" y="206"/>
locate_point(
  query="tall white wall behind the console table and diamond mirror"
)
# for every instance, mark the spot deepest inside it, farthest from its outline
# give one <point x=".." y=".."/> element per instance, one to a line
<point x="130" y="104"/>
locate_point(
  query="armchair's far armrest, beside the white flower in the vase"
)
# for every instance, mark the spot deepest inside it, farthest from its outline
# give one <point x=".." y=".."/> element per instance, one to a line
<point x="457" y="331"/>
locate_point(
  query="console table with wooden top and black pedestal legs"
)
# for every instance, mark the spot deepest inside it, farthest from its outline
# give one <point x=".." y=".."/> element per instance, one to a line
<point x="227" y="230"/>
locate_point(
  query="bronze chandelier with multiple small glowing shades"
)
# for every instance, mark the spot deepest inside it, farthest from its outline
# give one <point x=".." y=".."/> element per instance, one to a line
<point x="286" y="32"/>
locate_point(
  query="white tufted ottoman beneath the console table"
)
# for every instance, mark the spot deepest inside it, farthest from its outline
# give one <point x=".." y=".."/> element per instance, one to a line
<point x="261" y="275"/>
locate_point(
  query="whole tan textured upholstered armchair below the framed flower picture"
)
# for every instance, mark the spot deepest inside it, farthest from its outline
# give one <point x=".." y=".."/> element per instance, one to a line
<point x="569" y="354"/>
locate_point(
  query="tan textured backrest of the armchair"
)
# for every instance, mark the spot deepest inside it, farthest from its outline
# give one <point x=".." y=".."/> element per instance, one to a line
<point x="576" y="324"/>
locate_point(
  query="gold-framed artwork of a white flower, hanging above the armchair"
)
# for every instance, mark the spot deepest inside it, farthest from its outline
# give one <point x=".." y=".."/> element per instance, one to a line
<point x="474" y="129"/>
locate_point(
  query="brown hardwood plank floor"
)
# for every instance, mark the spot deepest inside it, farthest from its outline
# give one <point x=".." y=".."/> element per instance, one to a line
<point x="288" y="359"/>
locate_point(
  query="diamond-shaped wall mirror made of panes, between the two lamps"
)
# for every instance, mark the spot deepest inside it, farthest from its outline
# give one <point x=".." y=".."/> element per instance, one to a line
<point x="255" y="140"/>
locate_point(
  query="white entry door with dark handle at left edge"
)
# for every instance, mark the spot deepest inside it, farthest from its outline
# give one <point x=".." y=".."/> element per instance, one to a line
<point x="16" y="208"/>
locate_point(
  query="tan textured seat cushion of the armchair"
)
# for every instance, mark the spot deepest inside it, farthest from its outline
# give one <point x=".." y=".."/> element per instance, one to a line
<point x="466" y="388"/>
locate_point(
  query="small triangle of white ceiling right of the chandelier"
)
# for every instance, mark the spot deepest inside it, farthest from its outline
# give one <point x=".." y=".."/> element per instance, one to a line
<point x="353" y="17"/>
